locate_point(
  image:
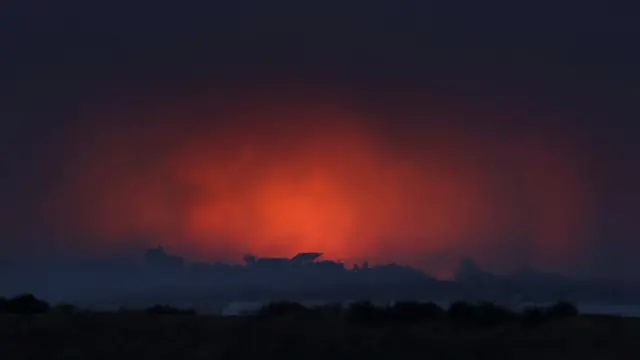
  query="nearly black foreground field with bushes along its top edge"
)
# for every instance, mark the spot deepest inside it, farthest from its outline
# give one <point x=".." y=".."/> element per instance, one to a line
<point x="327" y="334"/>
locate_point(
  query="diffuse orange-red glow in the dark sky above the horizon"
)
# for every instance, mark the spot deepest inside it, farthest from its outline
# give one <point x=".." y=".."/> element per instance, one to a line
<point x="277" y="178"/>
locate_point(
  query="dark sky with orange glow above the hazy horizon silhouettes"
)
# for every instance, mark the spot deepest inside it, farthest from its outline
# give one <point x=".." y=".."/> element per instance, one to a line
<point x="409" y="131"/>
